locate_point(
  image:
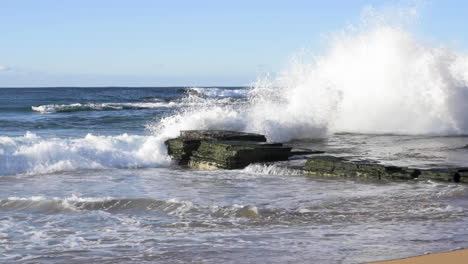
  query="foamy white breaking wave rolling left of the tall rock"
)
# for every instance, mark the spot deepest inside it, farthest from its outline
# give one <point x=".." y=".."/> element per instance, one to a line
<point x="32" y="154"/>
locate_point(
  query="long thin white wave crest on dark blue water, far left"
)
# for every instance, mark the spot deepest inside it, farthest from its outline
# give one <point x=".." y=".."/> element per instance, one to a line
<point x="77" y="107"/>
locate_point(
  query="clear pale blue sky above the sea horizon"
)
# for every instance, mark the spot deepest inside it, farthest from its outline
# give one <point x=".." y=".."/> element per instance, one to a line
<point x="50" y="43"/>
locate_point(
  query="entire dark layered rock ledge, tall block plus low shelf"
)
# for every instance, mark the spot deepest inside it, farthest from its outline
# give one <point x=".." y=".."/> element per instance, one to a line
<point x="221" y="149"/>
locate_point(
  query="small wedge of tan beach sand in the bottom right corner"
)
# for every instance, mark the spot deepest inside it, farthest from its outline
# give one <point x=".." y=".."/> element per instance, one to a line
<point x="452" y="257"/>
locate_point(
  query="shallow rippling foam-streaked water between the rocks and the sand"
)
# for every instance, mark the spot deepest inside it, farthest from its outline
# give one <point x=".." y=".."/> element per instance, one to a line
<point x="177" y="216"/>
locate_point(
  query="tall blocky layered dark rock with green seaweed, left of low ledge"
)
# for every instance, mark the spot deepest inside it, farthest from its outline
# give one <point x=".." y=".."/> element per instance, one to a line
<point x="209" y="149"/>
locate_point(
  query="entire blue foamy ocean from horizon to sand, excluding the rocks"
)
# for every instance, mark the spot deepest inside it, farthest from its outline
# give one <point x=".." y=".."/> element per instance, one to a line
<point x="85" y="178"/>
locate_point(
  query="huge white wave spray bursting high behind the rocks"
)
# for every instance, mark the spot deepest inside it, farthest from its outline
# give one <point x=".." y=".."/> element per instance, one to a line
<point x="376" y="78"/>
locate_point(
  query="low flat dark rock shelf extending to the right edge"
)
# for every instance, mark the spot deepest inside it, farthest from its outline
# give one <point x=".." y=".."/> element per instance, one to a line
<point x="330" y="166"/>
